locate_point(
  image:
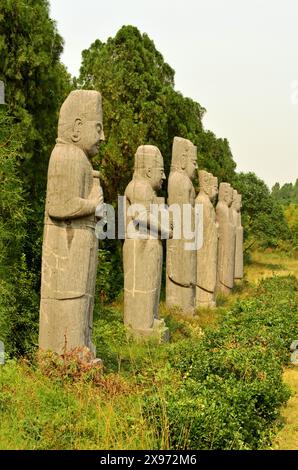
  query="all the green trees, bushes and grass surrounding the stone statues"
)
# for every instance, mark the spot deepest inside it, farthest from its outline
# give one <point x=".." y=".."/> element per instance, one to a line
<point x="218" y="384"/>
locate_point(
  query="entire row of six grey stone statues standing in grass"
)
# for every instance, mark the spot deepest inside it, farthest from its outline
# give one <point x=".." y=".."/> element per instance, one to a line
<point x="74" y="204"/>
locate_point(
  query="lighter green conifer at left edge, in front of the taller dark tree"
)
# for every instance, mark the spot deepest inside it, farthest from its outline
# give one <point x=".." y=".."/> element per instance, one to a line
<point x="18" y="300"/>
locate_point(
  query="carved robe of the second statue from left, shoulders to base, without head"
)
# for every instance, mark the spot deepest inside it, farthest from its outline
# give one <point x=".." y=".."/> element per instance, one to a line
<point x="142" y="261"/>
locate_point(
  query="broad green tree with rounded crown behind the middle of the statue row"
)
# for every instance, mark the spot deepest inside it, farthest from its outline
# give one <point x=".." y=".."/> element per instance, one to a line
<point x="141" y="106"/>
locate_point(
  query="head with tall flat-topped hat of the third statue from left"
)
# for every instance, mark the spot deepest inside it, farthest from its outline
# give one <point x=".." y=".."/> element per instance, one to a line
<point x="184" y="156"/>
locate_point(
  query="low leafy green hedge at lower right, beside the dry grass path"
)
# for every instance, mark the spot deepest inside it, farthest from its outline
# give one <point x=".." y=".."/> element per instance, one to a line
<point x="231" y="389"/>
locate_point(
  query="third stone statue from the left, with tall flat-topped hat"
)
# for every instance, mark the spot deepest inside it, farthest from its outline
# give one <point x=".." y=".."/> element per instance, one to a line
<point x="181" y="263"/>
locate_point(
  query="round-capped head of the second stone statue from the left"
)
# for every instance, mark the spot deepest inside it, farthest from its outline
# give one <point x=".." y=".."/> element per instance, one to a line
<point x="149" y="165"/>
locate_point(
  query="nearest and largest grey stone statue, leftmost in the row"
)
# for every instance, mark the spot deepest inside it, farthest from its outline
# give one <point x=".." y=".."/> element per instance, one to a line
<point x="69" y="254"/>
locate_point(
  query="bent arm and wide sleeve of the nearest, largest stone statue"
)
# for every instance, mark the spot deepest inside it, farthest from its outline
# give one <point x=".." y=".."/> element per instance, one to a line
<point x="66" y="184"/>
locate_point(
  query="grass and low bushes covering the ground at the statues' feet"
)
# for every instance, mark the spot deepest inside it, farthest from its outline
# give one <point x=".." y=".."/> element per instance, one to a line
<point x="59" y="404"/>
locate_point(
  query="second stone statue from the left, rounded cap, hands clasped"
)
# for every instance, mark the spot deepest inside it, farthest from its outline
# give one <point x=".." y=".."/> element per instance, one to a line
<point x="142" y="250"/>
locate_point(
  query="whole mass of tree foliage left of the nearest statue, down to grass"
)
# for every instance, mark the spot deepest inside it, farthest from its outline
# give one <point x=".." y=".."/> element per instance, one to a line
<point x="36" y="83"/>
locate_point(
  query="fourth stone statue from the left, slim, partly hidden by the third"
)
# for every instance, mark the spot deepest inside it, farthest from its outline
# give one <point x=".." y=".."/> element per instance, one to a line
<point x="207" y="254"/>
